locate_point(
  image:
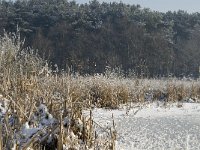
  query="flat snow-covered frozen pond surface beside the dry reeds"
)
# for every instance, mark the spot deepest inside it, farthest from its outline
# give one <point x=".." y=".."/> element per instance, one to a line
<point x="152" y="126"/>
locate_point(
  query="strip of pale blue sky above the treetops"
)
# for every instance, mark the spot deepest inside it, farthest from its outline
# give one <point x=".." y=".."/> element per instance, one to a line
<point x="161" y="5"/>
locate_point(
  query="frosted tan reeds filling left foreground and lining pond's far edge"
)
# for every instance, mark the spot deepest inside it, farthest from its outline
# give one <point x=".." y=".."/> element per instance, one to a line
<point x="29" y="89"/>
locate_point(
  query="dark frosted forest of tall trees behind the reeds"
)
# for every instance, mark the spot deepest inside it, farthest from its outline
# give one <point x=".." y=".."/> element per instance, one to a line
<point x="90" y="37"/>
